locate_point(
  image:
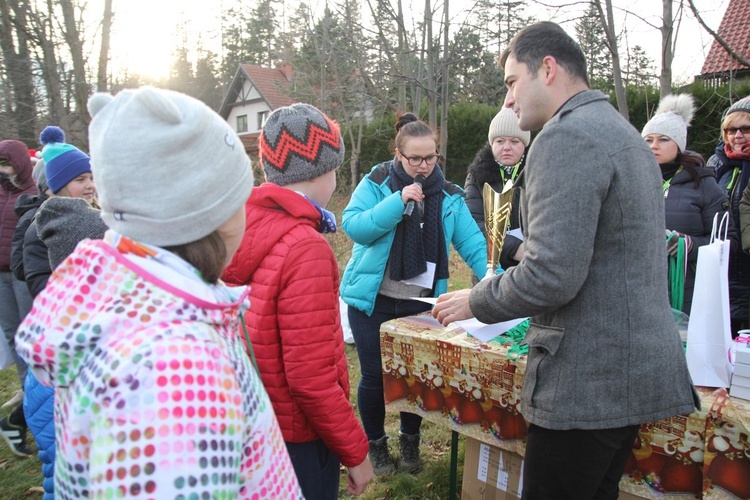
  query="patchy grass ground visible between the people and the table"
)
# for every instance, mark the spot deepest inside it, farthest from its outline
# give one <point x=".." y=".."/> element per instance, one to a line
<point x="22" y="478"/>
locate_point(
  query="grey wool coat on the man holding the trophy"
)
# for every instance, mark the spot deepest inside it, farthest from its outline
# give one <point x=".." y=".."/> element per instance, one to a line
<point x="604" y="351"/>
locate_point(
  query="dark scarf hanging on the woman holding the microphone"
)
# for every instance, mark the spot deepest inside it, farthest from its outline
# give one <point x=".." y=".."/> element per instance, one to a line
<point x="413" y="246"/>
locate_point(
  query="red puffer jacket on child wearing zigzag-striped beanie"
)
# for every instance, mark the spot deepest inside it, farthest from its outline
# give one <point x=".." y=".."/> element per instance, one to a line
<point x="294" y="322"/>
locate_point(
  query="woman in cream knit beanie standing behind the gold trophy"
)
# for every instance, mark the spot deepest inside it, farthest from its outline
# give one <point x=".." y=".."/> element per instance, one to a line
<point x="499" y="161"/>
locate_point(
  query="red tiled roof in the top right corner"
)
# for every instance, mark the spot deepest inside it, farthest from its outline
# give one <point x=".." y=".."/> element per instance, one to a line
<point x="735" y="30"/>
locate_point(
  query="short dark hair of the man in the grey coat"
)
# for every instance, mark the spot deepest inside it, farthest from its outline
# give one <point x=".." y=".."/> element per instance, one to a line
<point x="535" y="42"/>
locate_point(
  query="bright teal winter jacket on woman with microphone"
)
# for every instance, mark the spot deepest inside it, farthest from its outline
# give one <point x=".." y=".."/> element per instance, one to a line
<point x="370" y="219"/>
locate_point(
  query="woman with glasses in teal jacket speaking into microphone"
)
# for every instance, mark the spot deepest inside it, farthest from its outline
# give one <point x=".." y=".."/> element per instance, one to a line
<point x="403" y="217"/>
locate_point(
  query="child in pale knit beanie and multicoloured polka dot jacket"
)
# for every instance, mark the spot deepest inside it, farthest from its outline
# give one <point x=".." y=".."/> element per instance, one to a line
<point x="155" y="396"/>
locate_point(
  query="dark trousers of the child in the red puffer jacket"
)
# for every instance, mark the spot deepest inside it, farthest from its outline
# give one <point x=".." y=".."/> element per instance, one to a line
<point x="317" y="469"/>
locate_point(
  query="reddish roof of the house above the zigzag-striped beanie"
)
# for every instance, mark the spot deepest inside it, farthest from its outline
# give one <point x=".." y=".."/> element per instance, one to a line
<point x="273" y="84"/>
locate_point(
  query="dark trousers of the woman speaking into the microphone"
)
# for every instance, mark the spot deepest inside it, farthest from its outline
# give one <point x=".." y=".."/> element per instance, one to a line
<point x="366" y="333"/>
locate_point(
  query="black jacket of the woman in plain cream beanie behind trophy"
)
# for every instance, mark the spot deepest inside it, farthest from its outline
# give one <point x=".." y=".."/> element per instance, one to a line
<point x="483" y="169"/>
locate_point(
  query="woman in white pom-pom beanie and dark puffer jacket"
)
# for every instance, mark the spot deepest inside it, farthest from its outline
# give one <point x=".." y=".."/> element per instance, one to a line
<point x="691" y="195"/>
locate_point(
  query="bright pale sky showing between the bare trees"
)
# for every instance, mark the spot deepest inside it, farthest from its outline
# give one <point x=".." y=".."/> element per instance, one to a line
<point x="145" y="32"/>
